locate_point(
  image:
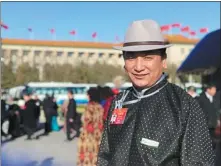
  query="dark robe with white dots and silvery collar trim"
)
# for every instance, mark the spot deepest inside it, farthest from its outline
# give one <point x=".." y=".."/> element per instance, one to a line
<point x="164" y="126"/>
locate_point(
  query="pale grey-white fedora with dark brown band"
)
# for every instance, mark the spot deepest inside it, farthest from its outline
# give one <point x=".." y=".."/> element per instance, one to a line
<point x="143" y="35"/>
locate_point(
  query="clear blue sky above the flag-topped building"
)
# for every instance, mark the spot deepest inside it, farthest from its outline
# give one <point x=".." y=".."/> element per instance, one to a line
<point x="108" y="19"/>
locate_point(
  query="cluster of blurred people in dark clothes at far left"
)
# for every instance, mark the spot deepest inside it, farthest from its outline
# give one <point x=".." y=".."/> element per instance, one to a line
<point x="24" y="117"/>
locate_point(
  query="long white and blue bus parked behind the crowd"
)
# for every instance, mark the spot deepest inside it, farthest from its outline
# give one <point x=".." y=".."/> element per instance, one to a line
<point x="59" y="90"/>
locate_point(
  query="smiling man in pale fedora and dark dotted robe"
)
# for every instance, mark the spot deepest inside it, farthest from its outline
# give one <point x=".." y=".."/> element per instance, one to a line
<point x="153" y="123"/>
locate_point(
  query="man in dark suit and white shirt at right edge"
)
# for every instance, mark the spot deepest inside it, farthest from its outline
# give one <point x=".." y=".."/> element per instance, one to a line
<point x="210" y="105"/>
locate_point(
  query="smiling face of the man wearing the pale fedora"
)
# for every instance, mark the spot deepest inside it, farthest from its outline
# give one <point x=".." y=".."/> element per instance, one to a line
<point x="144" y="68"/>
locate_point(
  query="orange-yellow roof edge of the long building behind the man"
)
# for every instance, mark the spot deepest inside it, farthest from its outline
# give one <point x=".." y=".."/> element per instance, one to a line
<point x="174" y="39"/>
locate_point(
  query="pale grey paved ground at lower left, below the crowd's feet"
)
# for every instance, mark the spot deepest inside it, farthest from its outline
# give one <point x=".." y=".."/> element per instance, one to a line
<point x="51" y="150"/>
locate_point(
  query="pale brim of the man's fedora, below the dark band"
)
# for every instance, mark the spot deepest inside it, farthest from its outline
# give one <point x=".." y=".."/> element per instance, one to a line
<point x="141" y="47"/>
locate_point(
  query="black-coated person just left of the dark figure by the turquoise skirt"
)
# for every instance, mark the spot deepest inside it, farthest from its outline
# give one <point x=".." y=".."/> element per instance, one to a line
<point x="29" y="115"/>
